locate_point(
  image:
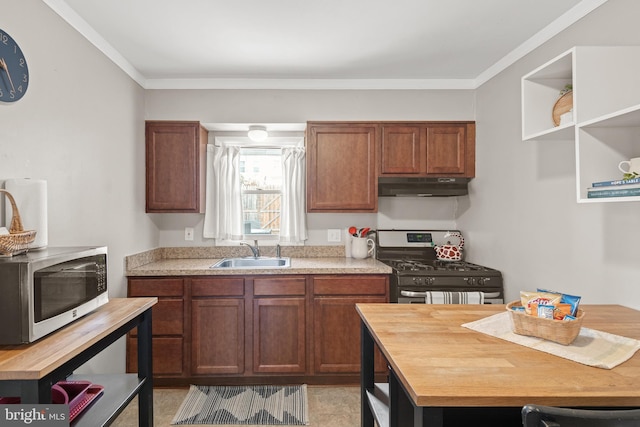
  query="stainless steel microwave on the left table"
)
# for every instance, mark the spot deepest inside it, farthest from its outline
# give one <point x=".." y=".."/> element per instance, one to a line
<point x="43" y="291"/>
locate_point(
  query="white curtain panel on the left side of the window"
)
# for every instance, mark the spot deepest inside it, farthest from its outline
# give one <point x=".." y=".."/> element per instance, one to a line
<point x="223" y="214"/>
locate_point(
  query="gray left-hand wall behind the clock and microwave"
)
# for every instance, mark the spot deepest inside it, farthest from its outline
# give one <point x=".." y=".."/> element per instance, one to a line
<point x="80" y="127"/>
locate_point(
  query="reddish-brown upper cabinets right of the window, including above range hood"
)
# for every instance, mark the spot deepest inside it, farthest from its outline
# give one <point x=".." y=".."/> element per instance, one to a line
<point x="344" y="159"/>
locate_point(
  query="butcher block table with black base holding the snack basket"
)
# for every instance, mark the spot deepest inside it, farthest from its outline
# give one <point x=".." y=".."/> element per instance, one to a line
<point x="440" y="371"/>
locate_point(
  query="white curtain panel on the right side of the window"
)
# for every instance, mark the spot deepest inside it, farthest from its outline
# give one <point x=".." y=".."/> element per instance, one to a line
<point x="293" y="218"/>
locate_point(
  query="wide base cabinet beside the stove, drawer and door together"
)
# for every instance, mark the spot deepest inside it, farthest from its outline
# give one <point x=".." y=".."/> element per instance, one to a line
<point x="336" y="323"/>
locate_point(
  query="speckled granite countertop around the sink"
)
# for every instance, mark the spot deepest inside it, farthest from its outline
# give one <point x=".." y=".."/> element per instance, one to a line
<point x="196" y="262"/>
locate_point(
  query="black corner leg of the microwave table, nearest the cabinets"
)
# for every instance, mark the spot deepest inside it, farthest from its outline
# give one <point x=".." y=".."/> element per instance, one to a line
<point x="145" y="370"/>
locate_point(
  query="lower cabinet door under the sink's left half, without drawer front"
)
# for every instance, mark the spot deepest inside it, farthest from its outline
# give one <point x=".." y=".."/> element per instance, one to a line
<point x="217" y="337"/>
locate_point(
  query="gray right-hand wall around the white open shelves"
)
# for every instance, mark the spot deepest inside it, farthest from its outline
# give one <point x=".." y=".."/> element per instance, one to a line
<point x="523" y="217"/>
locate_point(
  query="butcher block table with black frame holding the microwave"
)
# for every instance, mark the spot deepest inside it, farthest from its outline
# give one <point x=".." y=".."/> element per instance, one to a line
<point x="28" y="371"/>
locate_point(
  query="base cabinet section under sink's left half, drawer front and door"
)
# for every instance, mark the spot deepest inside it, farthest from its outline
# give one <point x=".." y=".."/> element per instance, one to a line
<point x="217" y="326"/>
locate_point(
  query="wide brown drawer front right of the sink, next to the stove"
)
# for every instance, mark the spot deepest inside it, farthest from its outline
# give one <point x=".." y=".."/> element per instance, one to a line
<point x="348" y="285"/>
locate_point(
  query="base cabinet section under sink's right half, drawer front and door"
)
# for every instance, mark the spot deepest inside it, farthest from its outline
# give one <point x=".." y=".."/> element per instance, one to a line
<point x="279" y="325"/>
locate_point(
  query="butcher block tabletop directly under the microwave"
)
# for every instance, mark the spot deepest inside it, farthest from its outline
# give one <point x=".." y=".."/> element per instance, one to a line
<point x="35" y="360"/>
